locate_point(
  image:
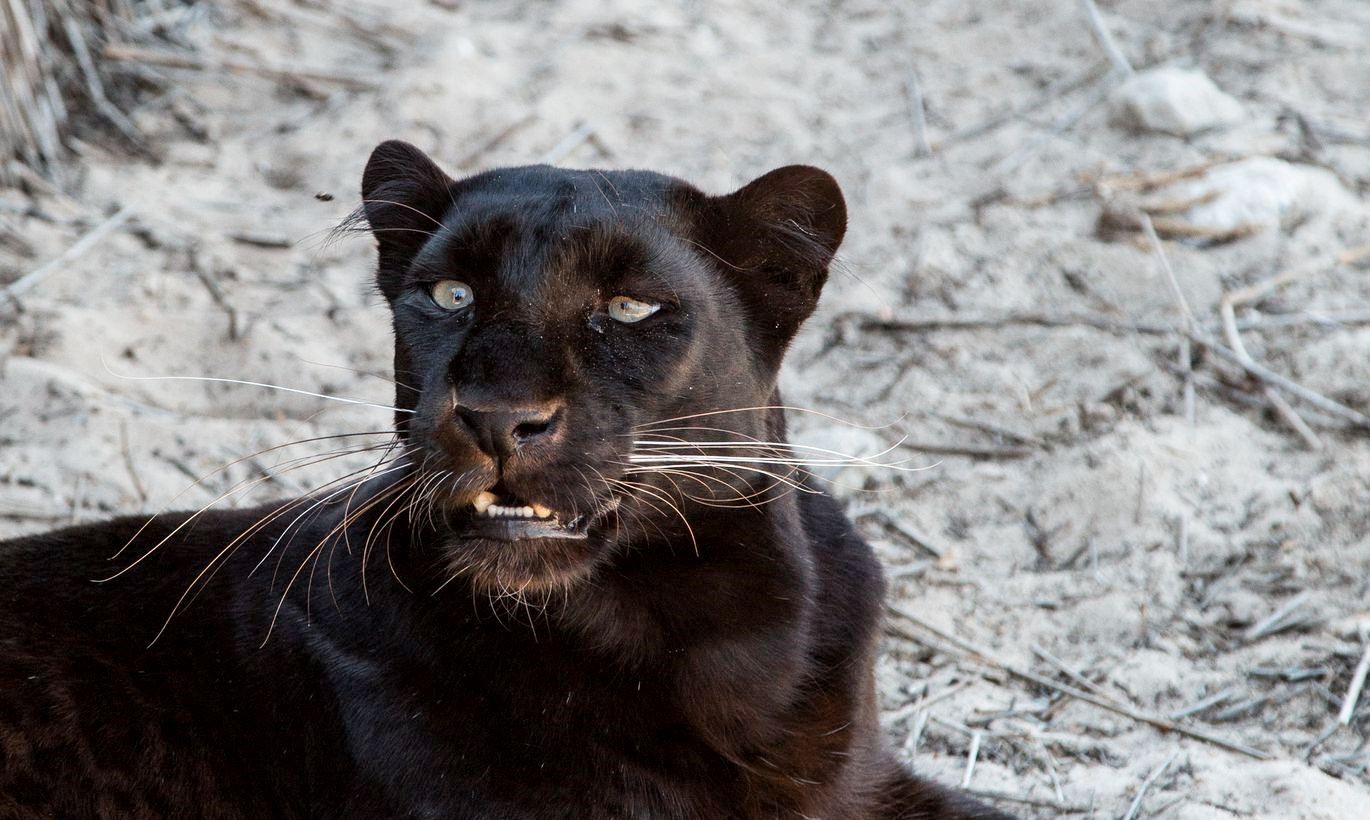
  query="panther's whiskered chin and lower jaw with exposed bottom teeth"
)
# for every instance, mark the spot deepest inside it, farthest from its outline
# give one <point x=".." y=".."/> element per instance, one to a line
<point x="508" y="547"/>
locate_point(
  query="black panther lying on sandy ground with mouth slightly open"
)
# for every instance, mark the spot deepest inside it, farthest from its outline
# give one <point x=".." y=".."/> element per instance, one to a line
<point x="693" y="655"/>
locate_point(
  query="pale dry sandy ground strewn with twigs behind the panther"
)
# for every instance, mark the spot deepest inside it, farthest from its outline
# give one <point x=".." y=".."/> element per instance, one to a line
<point x="998" y="313"/>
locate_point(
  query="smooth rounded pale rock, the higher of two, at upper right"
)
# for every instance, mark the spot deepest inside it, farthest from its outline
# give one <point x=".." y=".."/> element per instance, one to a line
<point x="1173" y="101"/>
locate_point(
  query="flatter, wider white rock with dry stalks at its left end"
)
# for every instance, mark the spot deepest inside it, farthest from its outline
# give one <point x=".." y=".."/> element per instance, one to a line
<point x="1264" y="192"/>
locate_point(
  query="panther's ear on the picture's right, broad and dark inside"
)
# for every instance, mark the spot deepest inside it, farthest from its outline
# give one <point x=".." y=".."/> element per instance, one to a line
<point x="779" y="235"/>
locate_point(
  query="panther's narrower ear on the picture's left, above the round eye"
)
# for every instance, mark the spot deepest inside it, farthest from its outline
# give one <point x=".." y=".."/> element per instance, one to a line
<point x="405" y="196"/>
